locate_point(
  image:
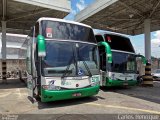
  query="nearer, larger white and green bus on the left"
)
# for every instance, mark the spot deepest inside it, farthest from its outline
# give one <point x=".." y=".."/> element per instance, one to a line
<point x="62" y="60"/>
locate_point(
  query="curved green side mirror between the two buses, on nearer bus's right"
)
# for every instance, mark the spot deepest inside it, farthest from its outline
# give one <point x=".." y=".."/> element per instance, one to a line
<point x="107" y="50"/>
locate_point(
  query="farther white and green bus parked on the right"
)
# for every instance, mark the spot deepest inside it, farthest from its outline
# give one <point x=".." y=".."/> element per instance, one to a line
<point x="122" y="70"/>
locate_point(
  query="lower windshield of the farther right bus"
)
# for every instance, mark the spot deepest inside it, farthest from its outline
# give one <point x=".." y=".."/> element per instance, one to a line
<point x="123" y="62"/>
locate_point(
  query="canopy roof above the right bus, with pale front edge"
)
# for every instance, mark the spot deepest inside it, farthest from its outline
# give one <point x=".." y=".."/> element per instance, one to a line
<point x="123" y="16"/>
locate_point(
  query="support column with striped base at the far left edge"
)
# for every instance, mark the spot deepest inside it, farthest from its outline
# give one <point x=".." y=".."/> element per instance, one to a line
<point x="3" y="51"/>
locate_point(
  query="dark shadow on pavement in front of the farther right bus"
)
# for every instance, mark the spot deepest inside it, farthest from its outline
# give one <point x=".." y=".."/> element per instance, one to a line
<point x="145" y="93"/>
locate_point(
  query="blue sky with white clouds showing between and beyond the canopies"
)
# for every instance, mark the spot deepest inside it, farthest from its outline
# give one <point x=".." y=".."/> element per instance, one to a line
<point x="137" y="41"/>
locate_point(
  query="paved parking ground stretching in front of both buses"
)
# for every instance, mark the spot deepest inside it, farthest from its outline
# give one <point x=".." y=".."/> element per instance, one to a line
<point x="131" y="100"/>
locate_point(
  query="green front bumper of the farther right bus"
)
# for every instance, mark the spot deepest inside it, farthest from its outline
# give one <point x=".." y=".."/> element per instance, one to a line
<point x="111" y="82"/>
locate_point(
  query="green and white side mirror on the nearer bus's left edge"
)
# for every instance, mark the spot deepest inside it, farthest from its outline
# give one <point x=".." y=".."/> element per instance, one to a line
<point x="41" y="46"/>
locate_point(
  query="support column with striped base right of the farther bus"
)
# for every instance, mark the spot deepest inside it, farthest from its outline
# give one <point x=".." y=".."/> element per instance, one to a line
<point x="148" y="80"/>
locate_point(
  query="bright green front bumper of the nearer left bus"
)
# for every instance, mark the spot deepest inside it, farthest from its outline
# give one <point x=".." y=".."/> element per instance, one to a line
<point x="53" y="95"/>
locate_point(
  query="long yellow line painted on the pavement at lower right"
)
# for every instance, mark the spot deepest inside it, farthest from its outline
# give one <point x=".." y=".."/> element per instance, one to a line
<point x="125" y="108"/>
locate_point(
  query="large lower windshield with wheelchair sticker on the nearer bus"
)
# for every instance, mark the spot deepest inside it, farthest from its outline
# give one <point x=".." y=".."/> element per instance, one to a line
<point x="70" y="59"/>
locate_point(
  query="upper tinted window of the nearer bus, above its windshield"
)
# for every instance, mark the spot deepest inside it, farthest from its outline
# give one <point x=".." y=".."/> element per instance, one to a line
<point x="67" y="31"/>
